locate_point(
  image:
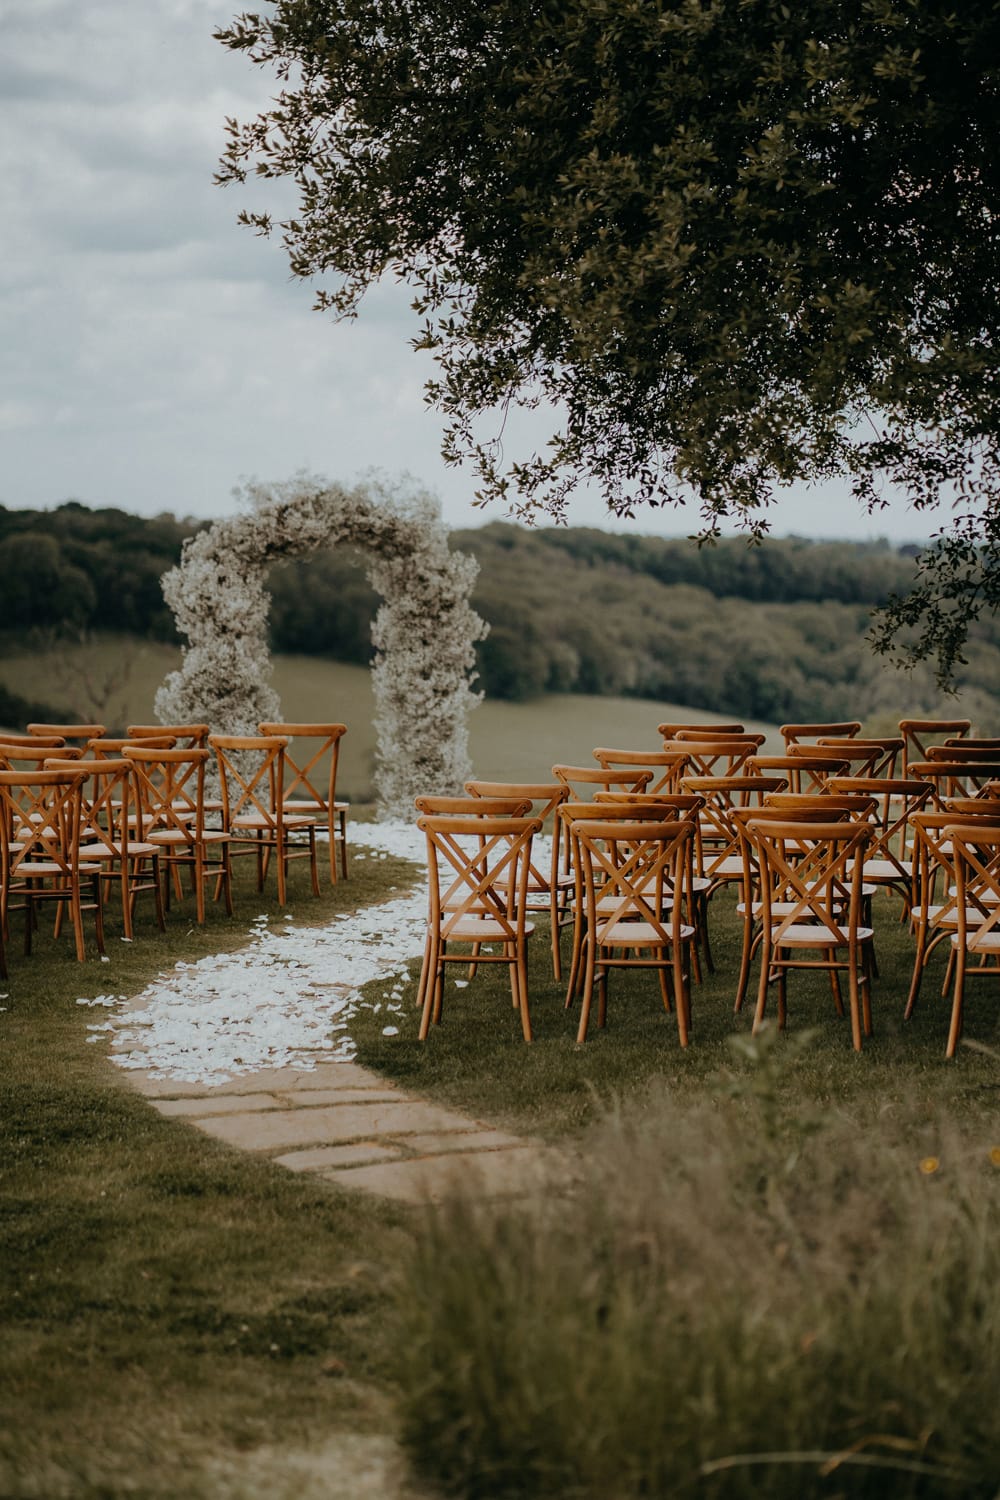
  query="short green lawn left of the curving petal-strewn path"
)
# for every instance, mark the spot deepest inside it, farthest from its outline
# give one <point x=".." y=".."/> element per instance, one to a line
<point x="170" y="1304"/>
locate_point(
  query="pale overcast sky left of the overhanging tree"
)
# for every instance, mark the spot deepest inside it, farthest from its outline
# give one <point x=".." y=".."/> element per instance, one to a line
<point x="152" y="353"/>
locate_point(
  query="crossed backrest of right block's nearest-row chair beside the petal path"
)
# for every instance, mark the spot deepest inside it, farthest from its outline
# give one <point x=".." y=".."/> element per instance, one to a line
<point x="479" y="869"/>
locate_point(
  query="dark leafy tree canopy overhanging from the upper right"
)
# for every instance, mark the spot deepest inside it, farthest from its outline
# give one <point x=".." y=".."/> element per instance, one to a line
<point x="735" y="244"/>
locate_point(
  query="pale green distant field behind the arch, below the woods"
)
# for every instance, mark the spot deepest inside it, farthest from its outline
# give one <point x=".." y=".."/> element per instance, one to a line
<point x="116" y="682"/>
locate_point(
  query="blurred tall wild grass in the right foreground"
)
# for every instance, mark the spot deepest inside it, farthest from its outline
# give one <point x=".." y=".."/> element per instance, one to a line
<point x="725" y="1304"/>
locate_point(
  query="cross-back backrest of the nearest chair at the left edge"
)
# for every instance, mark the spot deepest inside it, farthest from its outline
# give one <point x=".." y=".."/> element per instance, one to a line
<point x="40" y="823"/>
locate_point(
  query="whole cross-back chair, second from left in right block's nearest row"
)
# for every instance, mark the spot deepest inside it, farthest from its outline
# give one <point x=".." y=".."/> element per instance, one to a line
<point x="633" y="881"/>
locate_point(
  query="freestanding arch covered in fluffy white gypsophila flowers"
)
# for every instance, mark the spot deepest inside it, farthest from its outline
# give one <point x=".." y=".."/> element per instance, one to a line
<point x="425" y="632"/>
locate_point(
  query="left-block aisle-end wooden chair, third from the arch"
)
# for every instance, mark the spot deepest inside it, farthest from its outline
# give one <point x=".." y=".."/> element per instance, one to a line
<point x="172" y="794"/>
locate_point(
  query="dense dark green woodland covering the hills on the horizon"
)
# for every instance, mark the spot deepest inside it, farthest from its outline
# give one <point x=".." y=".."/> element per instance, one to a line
<point x="768" y="632"/>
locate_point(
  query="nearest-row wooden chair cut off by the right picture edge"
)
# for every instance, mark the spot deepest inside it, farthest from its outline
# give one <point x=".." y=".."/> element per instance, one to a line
<point x="977" y="854"/>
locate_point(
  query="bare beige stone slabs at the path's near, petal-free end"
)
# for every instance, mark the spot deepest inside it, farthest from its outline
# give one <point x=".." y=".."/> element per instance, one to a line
<point x="350" y="1127"/>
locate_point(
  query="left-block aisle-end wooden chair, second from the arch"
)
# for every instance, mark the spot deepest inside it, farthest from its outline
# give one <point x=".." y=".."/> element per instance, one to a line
<point x="253" y="778"/>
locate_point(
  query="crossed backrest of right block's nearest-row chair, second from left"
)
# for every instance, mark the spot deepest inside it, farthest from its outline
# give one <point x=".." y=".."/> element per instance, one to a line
<point x="636" y="871"/>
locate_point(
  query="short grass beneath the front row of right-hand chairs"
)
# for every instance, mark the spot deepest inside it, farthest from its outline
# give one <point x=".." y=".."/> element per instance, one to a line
<point x="478" y="1061"/>
